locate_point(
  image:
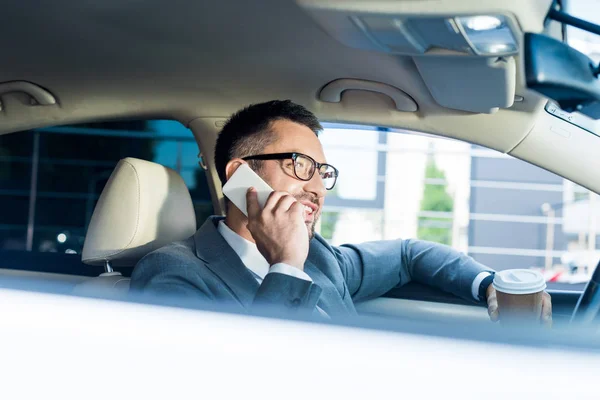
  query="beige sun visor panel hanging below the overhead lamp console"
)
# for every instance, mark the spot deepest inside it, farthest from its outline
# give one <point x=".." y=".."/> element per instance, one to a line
<point x="474" y="84"/>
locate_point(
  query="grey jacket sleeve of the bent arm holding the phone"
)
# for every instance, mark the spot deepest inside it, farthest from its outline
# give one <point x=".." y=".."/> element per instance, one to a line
<point x="173" y="279"/>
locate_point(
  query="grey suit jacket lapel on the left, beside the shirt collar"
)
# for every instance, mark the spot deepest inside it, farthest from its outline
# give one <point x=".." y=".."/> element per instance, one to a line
<point x="220" y="258"/>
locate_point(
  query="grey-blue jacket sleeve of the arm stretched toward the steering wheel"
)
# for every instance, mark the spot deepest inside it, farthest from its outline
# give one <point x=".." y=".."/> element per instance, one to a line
<point x="373" y="268"/>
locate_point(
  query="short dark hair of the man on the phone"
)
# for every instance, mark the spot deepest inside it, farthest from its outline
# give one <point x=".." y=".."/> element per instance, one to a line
<point x="247" y="131"/>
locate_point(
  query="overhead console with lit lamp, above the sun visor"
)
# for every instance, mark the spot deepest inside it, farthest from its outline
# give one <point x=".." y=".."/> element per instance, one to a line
<point x="477" y="35"/>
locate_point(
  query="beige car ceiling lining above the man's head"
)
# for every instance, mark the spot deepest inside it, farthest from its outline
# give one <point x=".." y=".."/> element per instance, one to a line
<point x="188" y="59"/>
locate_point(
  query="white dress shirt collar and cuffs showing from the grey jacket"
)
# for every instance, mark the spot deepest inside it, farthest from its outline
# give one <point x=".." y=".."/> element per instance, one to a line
<point x="259" y="266"/>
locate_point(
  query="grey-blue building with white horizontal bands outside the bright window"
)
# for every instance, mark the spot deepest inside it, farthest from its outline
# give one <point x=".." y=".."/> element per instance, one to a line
<point x="508" y="226"/>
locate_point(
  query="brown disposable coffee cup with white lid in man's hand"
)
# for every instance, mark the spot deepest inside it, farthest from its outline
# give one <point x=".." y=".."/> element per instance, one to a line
<point x="519" y="293"/>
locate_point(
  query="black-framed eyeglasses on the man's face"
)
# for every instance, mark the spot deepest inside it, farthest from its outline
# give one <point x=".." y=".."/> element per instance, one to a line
<point x="304" y="167"/>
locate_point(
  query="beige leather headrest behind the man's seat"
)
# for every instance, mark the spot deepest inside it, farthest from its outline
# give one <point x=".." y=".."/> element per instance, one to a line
<point x="143" y="206"/>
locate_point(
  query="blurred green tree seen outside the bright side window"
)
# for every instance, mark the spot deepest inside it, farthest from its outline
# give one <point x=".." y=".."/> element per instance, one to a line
<point x="435" y="198"/>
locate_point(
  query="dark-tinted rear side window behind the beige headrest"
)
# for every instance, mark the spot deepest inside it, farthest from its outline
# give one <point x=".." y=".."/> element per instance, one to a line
<point x="51" y="179"/>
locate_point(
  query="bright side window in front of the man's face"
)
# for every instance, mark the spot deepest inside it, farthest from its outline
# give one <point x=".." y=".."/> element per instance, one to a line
<point x="503" y="212"/>
